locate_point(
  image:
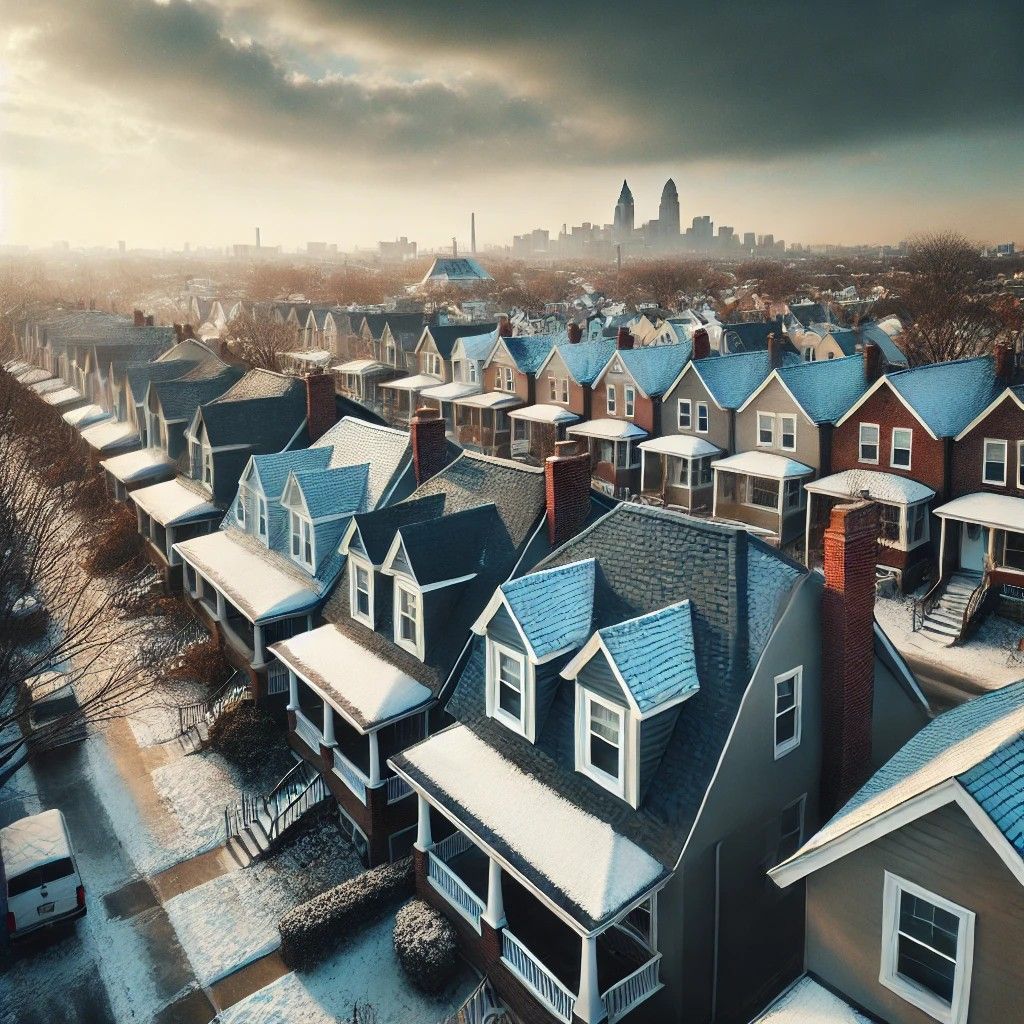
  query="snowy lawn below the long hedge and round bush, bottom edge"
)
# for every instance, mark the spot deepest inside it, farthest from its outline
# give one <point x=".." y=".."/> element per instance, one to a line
<point x="364" y="972"/>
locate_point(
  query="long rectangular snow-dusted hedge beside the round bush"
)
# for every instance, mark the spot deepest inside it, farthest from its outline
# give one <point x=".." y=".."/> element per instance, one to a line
<point x="313" y="930"/>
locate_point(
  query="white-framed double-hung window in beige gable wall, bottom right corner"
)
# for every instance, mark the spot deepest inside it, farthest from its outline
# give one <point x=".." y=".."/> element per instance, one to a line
<point x="927" y="950"/>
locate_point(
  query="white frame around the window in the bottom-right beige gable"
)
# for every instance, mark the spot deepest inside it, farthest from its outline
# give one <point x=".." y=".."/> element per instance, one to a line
<point x="923" y="999"/>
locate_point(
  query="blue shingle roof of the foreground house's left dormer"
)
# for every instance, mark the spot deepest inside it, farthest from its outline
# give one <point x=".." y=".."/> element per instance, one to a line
<point x="553" y="608"/>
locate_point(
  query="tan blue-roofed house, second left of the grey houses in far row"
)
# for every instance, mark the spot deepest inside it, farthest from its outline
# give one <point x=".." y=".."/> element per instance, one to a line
<point x="563" y="396"/>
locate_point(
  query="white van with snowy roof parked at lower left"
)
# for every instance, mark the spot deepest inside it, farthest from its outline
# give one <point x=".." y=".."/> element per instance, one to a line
<point x="39" y="874"/>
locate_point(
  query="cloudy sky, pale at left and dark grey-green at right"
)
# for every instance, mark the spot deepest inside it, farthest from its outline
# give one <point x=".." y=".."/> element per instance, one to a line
<point x="357" y="120"/>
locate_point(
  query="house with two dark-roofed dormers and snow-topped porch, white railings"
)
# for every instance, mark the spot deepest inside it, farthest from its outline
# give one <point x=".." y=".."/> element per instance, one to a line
<point x="367" y="685"/>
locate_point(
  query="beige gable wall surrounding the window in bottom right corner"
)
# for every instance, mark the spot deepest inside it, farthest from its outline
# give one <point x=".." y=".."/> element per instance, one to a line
<point x="946" y="855"/>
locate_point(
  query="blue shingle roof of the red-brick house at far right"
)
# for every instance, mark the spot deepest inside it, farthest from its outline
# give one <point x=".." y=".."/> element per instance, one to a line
<point x="949" y="396"/>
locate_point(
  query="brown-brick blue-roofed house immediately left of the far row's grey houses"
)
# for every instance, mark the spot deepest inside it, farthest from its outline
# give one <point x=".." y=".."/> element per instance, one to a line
<point x="626" y="411"/>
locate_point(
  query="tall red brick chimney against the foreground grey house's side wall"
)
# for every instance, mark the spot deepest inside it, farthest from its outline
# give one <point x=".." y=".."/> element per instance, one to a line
<point x="848" y="652"/>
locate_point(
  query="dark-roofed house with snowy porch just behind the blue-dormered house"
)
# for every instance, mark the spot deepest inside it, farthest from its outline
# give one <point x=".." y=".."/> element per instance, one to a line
<point x="263" y="413"/>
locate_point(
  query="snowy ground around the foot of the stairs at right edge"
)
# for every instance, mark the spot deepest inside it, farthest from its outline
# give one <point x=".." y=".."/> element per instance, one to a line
<point x="990" y="657"/>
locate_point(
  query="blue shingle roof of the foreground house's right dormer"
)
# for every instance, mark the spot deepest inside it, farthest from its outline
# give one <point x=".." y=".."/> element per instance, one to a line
<point x="655" y="656"/>
